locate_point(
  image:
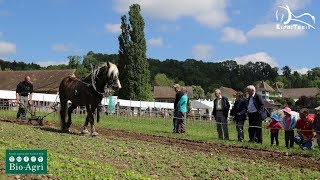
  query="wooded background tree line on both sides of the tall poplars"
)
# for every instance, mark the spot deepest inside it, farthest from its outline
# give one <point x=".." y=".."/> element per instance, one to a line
<point x="207" y="75"/>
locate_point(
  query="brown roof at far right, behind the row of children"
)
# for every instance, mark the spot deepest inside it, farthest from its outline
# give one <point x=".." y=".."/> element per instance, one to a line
<point x="296" y="93"/>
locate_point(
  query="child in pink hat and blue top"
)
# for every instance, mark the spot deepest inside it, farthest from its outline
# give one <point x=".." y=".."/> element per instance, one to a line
<point x="288" y="123"/>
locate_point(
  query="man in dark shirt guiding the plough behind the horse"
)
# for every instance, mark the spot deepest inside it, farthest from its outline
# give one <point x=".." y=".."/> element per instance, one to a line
<point x="24" y="96"/>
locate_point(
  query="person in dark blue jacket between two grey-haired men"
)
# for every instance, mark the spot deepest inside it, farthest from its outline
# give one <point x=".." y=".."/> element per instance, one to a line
<point x="238" y="112"/>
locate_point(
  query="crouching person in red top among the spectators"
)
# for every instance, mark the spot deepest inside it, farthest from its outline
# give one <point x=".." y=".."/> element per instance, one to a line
<point x="304" y="129"/>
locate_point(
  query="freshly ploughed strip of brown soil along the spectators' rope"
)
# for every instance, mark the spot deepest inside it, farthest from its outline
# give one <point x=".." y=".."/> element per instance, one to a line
<point x="297" y="161"/>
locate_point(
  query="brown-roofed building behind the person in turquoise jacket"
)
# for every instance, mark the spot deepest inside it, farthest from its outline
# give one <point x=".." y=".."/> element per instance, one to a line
<point x="167" y="93"/>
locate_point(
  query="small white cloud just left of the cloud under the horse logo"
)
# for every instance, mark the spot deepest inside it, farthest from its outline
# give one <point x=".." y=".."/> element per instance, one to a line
<point x="233" y="35"/>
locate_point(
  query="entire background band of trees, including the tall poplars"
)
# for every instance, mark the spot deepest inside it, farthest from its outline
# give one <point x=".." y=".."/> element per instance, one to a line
<point x="139" y="73"/>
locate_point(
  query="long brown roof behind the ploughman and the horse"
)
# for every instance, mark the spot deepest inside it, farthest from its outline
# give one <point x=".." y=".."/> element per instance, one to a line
<point x="42" y="80"/>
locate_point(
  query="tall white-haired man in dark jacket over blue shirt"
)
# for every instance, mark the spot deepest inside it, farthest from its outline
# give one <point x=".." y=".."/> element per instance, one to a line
<point x="255" y="110"/>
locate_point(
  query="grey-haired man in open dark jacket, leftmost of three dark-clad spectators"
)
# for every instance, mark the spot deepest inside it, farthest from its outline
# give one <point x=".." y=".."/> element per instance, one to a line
<point x="220" y="112"/>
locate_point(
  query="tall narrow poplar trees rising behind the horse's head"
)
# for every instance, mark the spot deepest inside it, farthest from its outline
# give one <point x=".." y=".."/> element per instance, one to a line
<point x="133" y="64"/>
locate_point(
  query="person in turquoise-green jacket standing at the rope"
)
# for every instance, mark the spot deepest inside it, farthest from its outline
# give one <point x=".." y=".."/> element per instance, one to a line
<point x="182" y="111"/>
